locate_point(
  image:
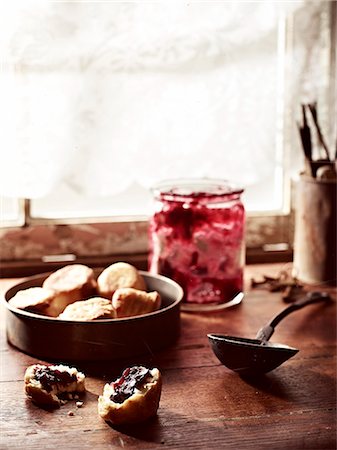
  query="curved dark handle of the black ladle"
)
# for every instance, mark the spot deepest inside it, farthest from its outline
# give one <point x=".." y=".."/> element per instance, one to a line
<point x="312" y="297"/>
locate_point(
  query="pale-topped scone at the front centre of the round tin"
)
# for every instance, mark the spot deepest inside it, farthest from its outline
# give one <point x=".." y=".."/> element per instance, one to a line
<point x="92" y="309"/>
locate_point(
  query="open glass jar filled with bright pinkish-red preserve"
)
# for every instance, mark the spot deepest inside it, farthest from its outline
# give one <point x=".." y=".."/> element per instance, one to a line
<point x="197" y="239"/>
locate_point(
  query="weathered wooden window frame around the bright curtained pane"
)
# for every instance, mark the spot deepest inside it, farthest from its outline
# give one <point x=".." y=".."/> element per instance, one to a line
<point x="269" y="236"/>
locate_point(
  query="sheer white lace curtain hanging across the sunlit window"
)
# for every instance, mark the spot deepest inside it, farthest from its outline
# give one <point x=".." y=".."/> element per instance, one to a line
<point x="102" y="95"/>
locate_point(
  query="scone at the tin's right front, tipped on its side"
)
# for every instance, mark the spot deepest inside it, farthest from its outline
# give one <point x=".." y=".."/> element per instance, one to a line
<point x="128" y="302"/>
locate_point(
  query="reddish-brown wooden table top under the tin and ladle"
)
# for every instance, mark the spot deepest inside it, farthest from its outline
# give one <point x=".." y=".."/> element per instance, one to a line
<point x="203" y="404"/>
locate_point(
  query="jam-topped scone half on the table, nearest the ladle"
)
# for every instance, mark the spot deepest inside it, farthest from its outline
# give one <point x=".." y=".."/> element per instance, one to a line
<point x="133" y="398"/>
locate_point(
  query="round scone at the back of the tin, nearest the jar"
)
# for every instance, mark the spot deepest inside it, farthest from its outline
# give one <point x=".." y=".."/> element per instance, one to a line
<point x="119" y="275"/>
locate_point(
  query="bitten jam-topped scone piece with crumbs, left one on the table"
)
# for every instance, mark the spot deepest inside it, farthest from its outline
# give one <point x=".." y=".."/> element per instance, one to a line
<point x="45" y="384"/>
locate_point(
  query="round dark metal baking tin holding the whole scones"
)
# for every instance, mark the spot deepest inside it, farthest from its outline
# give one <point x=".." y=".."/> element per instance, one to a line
<point x="109" y="339"/>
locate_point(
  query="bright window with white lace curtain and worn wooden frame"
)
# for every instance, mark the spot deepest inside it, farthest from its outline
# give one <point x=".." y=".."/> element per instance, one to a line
<point x="104" y="99"/>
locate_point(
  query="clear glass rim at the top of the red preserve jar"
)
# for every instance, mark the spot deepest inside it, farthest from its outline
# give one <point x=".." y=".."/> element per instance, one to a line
<point x="186" y="187"/>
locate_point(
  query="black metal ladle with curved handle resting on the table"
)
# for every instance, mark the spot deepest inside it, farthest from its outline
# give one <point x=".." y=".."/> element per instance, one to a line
<point x="257" y="356"/>
